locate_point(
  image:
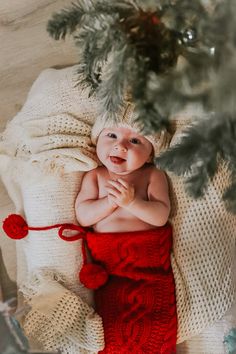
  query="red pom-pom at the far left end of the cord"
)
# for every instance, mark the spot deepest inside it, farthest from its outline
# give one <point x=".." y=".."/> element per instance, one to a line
<point x="15" y="227"/>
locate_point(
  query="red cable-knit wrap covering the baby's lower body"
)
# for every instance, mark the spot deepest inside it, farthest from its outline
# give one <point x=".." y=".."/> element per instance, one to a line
<point x="137" y="304"/>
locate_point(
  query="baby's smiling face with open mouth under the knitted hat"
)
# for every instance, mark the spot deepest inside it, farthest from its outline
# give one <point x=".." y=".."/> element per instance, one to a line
<point x="122" y="150"/>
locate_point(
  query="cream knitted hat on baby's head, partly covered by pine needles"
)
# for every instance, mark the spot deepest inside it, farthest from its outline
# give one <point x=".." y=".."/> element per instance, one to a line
<point x="160" y="141"/>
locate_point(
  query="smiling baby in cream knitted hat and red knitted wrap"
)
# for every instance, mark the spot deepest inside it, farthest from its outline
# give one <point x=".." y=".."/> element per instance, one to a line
<point x="126" y="202"/>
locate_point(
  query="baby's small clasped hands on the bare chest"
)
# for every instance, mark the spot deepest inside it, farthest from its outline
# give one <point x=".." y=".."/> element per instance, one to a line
<point x="120" y="192"/>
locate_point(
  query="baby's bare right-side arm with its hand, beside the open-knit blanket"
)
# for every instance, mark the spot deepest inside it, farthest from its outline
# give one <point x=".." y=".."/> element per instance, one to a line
<point x="154" y="211"/>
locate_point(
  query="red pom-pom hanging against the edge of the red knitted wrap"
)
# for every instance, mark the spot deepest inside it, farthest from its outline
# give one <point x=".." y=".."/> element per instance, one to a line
<point x="93" y="276"/>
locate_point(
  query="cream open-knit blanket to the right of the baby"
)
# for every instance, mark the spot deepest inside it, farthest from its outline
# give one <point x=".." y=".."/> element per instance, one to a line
<point x="203" y="255"/>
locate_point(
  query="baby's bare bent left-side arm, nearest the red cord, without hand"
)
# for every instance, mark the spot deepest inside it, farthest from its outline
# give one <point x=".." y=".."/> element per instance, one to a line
<point x="88" y="208"/>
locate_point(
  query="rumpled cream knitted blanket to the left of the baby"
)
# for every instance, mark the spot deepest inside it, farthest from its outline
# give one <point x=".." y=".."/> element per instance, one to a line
<point x="43" y="153"/>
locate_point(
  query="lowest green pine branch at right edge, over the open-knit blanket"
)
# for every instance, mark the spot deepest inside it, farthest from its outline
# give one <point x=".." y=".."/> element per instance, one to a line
<point x="197" y="154"/>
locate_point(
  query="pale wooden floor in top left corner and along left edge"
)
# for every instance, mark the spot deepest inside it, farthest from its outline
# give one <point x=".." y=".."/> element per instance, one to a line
<point x="26" y="49"/>
